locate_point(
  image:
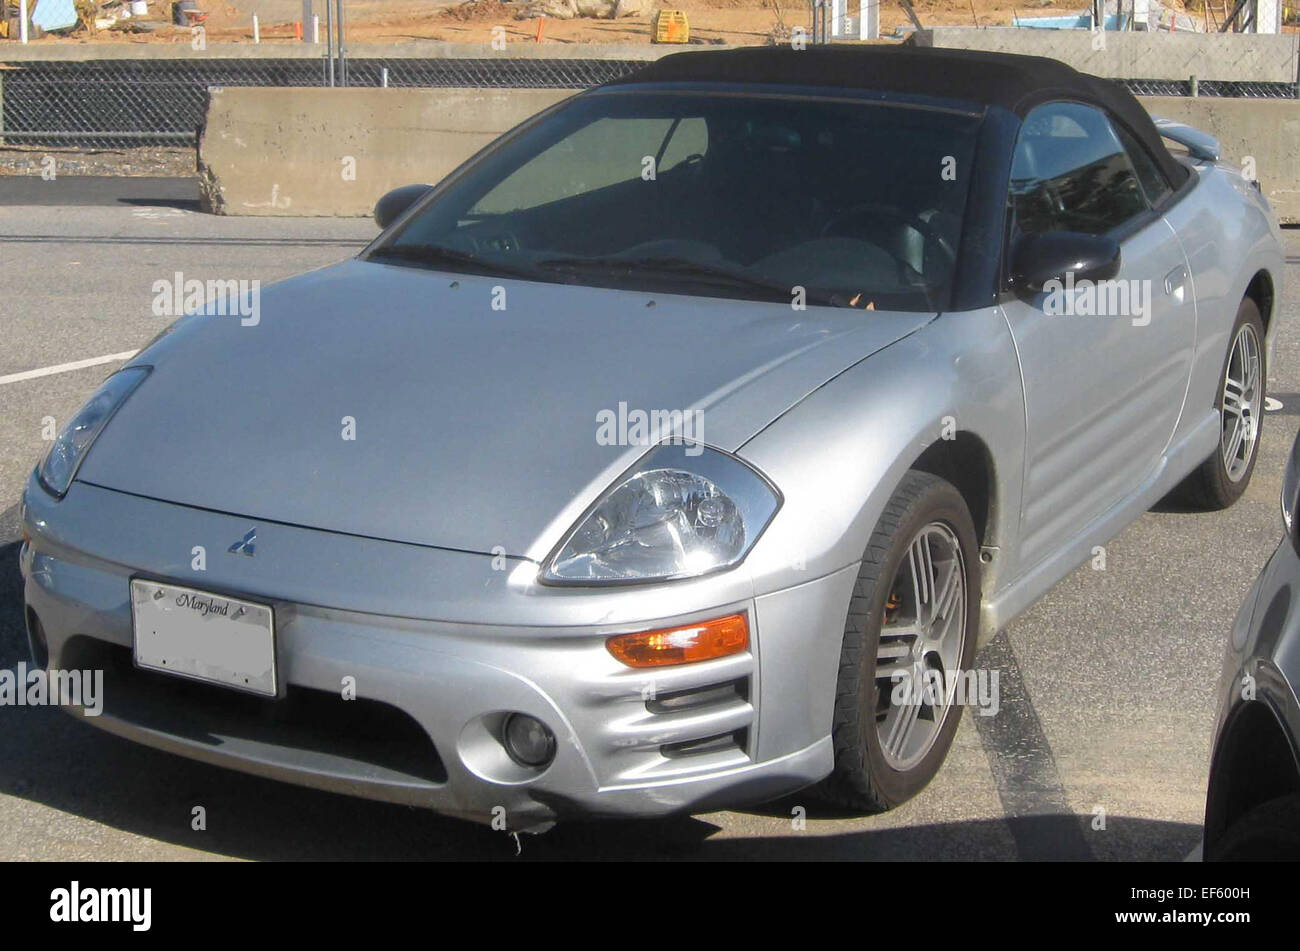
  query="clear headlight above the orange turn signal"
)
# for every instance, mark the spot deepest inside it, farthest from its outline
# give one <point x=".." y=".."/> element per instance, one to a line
<point x="674" y="516"/>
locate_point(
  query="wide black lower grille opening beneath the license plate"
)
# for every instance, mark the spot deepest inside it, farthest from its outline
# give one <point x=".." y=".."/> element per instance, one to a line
<point x="376" y="740"/>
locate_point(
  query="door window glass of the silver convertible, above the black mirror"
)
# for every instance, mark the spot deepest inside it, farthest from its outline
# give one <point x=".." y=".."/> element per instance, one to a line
<point x="1071" y="173"/>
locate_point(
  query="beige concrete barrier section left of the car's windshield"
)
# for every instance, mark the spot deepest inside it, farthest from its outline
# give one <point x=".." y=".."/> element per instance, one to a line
<point x="285" y="151"/>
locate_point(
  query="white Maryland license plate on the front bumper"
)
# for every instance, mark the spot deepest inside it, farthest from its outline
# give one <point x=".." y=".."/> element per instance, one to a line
<point x="205" y="637"/>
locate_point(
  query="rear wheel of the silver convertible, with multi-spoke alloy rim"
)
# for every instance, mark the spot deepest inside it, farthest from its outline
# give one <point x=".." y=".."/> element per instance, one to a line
<point x="1223" y="479"/>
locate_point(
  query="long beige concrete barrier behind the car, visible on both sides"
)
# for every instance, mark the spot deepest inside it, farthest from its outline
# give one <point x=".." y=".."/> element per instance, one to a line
<point x="285" y="151"/>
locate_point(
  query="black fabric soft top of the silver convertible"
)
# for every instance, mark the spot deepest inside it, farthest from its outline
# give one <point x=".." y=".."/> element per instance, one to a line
<point x="1015" y="82"/>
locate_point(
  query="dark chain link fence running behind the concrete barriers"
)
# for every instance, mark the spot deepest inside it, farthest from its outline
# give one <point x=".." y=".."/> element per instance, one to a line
<point x="161" y="102"/>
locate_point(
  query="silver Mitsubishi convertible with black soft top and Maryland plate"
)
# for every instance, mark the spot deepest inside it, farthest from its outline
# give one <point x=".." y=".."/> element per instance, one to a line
<point x="677" y="451"/>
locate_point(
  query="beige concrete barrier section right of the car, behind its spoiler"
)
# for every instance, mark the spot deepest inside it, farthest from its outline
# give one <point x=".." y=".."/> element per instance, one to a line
<point x="1268" y="131"/>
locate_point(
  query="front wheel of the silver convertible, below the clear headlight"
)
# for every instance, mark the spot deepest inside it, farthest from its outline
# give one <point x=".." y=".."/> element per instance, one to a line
<point x="909" y="640"/>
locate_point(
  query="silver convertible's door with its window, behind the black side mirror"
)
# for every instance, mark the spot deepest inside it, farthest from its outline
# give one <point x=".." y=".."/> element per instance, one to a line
<point x="1104" y="367"/>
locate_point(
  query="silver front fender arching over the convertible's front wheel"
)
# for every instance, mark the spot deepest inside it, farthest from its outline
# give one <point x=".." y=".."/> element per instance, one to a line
<point x="840" y="454"/>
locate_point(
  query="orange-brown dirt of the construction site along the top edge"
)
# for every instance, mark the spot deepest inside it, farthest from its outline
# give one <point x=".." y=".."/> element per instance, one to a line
<point x="712" y="21"/>
